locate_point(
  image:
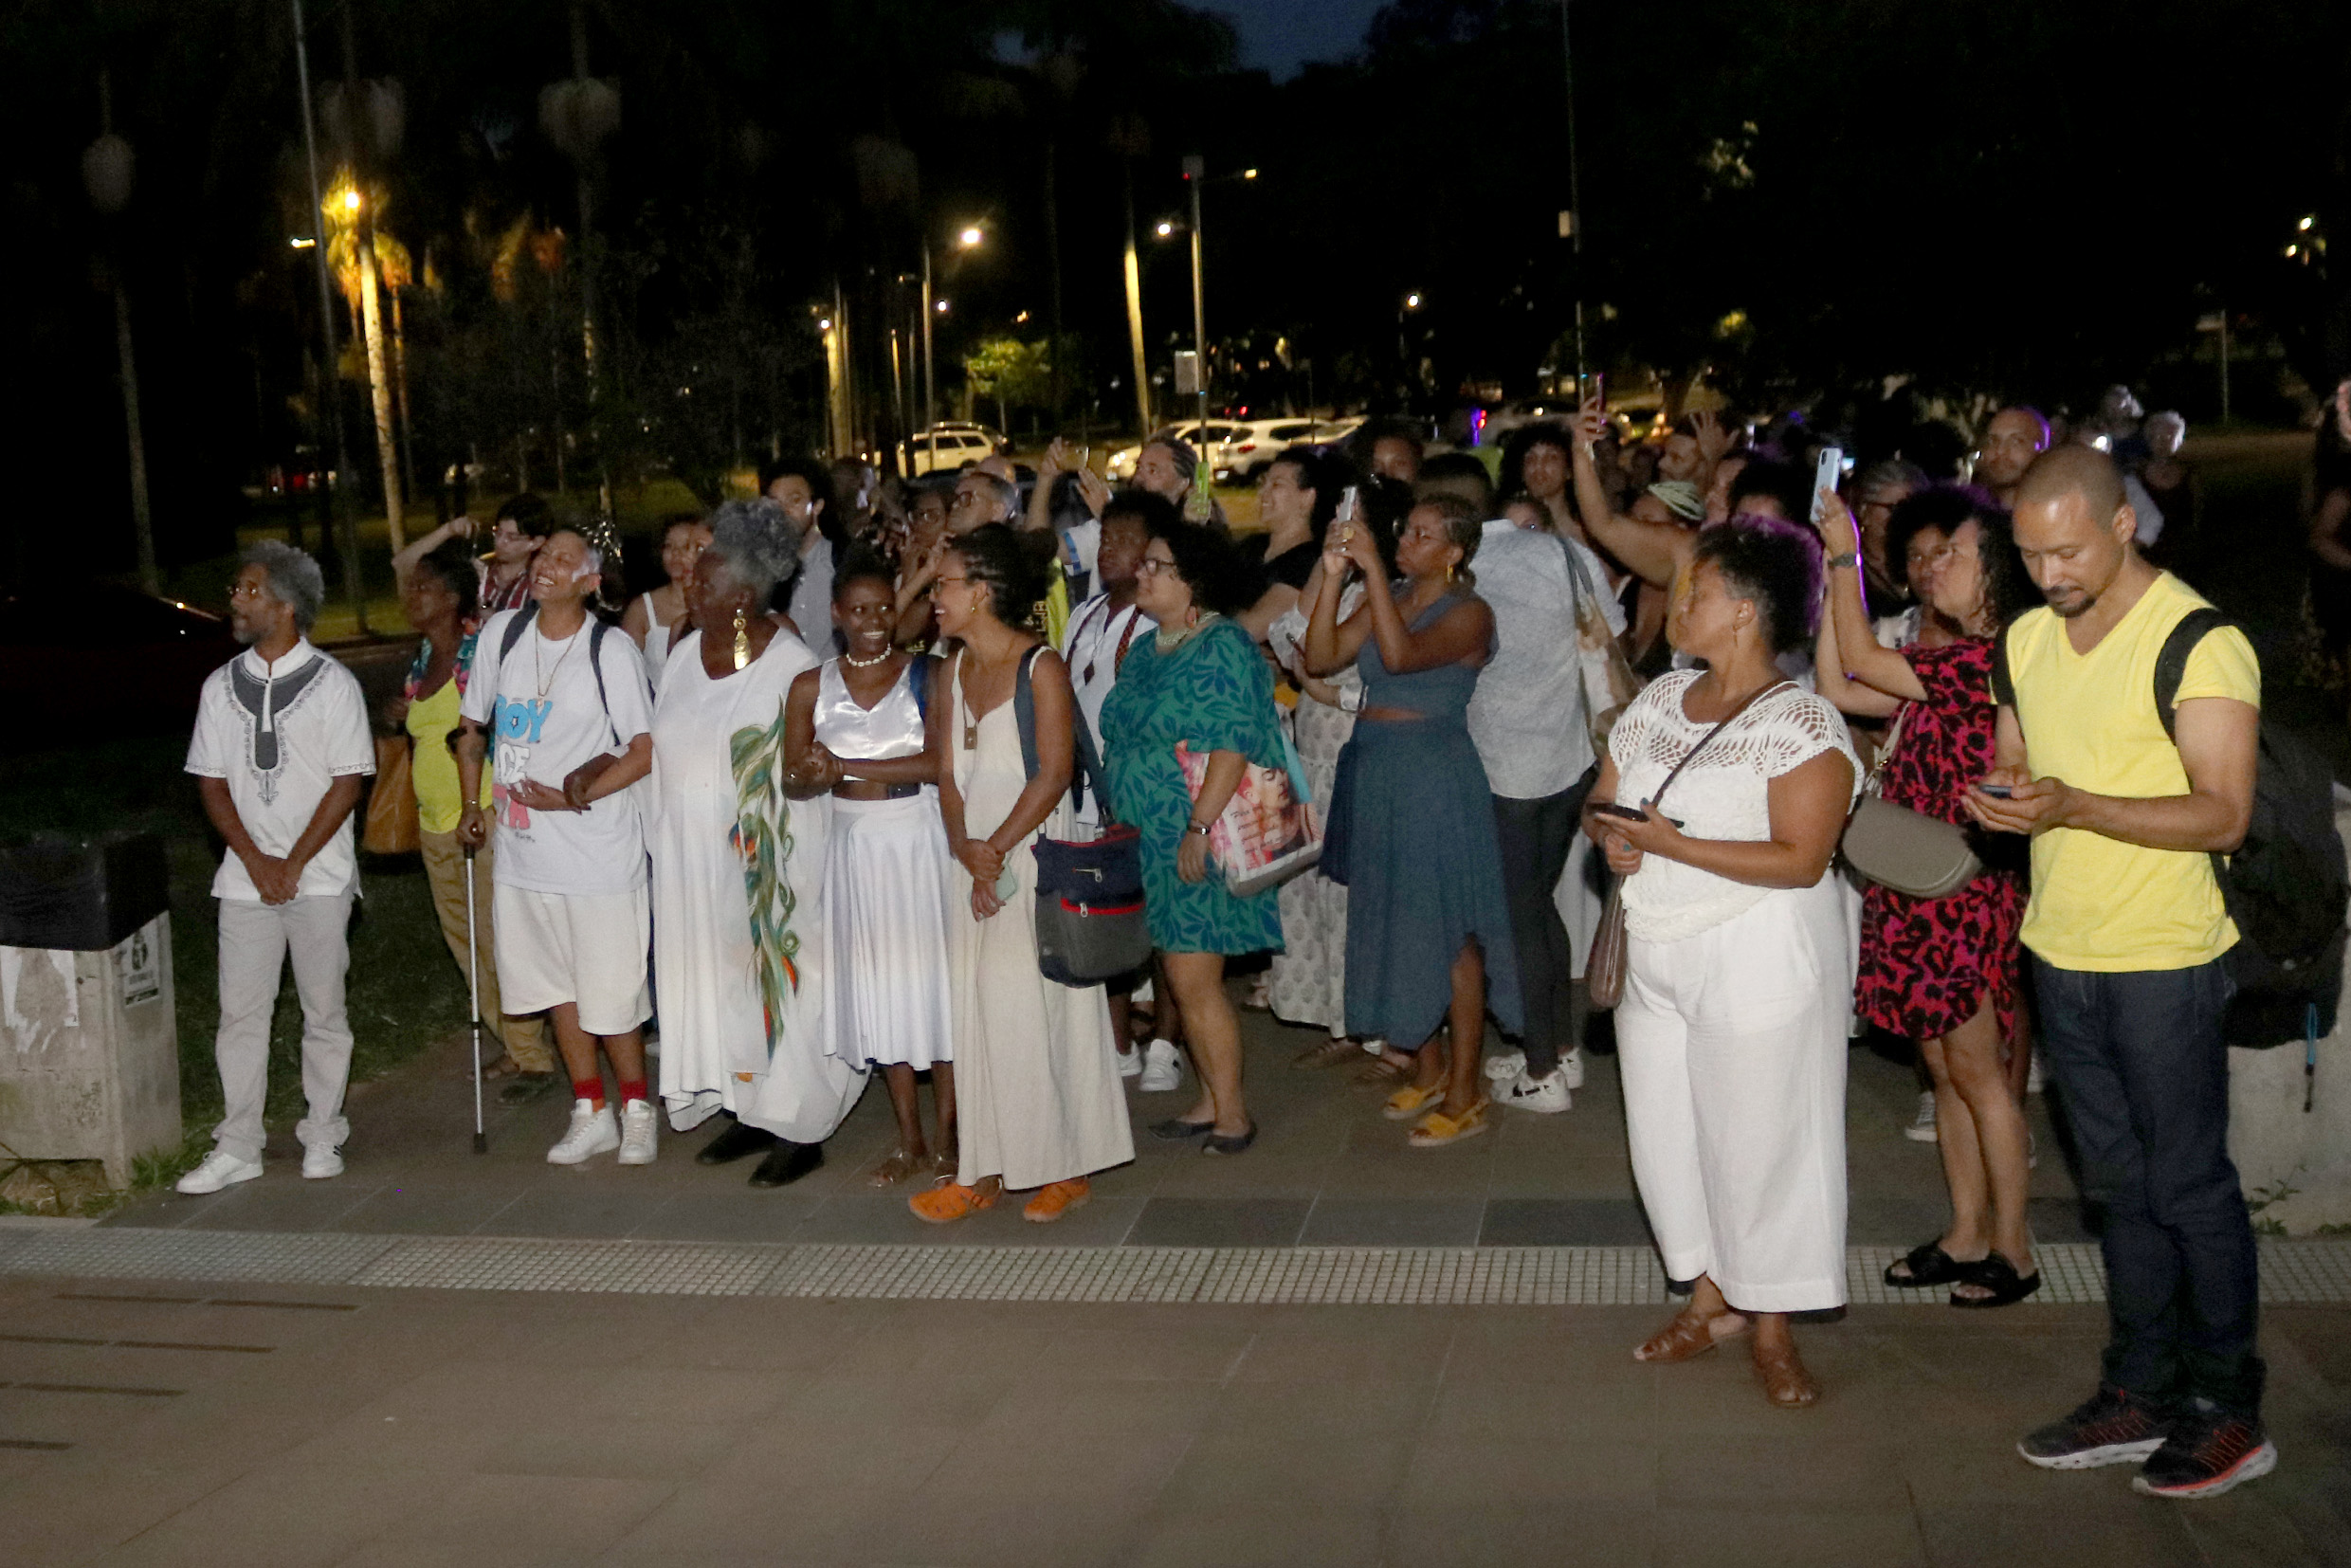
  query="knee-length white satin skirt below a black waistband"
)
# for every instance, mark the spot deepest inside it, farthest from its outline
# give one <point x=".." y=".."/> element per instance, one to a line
<point x="888" y="906"/>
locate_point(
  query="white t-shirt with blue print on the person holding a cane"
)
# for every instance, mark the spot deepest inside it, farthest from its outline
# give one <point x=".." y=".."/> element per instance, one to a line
<point x="544" y="716"/>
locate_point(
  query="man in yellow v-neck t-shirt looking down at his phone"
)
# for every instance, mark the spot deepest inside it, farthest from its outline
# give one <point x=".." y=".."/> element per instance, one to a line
<point x="2129" y="939"/>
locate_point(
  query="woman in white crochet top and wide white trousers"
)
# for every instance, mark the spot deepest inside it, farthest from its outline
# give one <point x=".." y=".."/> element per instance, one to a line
<point x="1739" y="974"/>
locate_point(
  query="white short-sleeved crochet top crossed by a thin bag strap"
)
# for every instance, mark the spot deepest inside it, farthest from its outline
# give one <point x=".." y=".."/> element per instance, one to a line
<point x="1722" y="796"/>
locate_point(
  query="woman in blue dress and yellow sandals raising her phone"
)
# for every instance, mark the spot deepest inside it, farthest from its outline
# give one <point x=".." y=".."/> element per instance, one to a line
<point x="1412" y="815"/>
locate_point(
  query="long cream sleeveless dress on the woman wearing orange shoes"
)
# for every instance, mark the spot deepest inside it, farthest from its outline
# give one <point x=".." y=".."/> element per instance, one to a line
<point x="1038" y="1087"/>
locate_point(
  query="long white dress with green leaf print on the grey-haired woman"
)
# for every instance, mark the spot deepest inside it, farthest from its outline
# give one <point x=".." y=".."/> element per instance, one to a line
<point x="718" y="1045"/>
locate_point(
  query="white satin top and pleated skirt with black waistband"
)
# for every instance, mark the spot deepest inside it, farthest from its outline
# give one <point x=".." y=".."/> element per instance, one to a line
<point x="885" y="890"/>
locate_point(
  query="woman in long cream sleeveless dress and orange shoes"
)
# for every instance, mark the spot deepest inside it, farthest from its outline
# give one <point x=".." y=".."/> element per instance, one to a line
<point x="1038" y="1080"/>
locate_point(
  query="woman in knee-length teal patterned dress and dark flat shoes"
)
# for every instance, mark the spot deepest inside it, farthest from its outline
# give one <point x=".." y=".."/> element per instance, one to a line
<point x="1200" y="681"/>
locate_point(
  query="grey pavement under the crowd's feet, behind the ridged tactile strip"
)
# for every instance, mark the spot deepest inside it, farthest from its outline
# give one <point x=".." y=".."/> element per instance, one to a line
<point x="1327" y="1172"/>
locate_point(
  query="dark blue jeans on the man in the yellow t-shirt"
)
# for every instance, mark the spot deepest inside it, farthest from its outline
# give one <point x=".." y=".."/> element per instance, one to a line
<point x="2145" y="1083"/>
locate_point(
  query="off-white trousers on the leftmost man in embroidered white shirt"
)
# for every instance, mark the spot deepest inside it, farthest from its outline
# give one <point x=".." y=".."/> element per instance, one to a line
<point x="257" y="939"/>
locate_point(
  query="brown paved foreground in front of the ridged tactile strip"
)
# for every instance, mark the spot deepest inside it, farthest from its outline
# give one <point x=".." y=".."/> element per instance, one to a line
<point x="300" y="1426"/>
